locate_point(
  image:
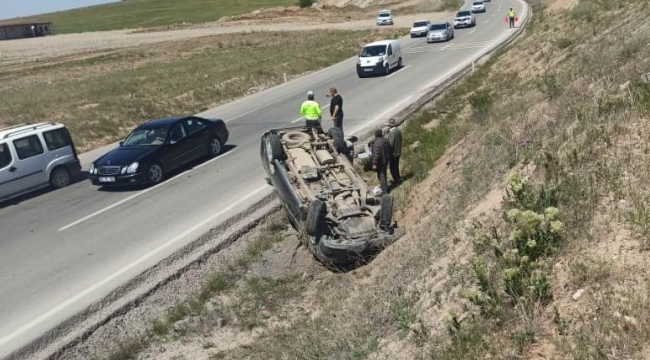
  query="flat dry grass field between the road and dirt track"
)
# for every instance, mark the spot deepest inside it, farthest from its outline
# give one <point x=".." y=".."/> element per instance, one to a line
<point x="102" y="98"/>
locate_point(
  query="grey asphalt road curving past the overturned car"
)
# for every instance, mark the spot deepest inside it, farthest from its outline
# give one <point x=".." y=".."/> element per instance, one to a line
<point x="62" y="250"/>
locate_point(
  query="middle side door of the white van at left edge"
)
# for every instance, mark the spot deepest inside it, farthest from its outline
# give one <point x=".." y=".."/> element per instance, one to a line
<point x="30" y="164"/>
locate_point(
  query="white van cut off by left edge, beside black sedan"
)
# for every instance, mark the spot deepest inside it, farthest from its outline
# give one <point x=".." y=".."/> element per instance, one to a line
<point x="36" y="156"/>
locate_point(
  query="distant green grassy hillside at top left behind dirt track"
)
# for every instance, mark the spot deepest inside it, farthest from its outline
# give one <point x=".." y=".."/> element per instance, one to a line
<point x="131" y="14"/>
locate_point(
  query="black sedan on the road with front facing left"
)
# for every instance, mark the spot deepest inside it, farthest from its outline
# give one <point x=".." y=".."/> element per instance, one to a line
<point x="158" y="147"/>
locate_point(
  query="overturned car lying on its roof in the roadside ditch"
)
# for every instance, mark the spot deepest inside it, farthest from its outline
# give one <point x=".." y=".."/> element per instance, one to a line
<point x="339" y="217"/>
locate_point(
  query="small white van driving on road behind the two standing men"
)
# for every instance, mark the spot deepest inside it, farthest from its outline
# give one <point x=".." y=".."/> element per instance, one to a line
<point x="380" y="57"/>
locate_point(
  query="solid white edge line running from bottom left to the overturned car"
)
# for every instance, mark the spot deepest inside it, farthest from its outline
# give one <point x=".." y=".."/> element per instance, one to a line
<point x="124" y="270"/>
